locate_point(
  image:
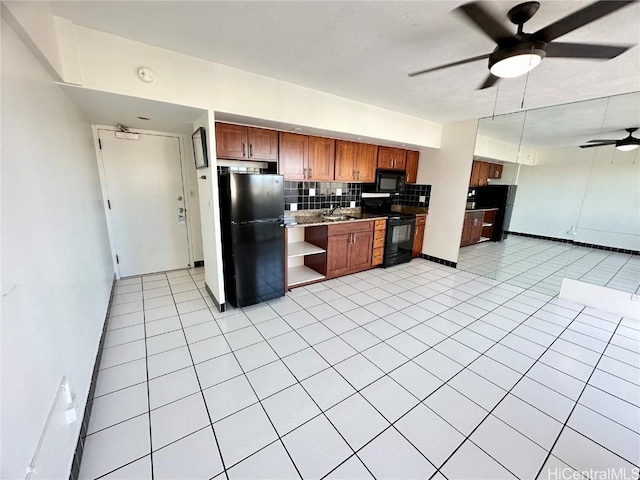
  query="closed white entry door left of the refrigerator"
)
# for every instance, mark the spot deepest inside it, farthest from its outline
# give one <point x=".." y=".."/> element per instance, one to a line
<point x="144" y="186"/>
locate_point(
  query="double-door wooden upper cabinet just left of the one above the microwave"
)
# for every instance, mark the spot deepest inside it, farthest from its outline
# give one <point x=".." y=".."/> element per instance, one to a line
<point x="355" y="162"/>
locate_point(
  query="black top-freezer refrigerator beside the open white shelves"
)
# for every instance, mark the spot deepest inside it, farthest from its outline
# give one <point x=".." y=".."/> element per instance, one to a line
<point x="252" y="218"/>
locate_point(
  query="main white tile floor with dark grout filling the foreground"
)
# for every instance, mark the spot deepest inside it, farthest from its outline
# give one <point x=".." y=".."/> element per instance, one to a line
<point x="417" y="371"/>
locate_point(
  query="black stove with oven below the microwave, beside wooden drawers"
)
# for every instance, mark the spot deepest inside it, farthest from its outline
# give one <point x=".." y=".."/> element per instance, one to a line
<point x="400" y="227"/>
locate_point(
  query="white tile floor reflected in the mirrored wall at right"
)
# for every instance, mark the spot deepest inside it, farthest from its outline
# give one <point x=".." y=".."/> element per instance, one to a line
<point x="540" y="265"/>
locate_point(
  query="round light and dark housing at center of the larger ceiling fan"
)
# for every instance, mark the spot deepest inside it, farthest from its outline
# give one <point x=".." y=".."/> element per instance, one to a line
<point x="513" y="61"/>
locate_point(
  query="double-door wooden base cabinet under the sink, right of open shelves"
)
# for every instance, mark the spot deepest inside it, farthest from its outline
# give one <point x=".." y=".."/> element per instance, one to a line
<point x="349" y="247"/>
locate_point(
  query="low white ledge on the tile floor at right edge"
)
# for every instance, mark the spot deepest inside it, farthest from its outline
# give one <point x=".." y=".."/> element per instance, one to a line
<point x="606" y="299"/>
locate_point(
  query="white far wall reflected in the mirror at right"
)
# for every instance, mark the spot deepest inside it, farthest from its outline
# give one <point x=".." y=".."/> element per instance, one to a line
<point x="597" y="190"/>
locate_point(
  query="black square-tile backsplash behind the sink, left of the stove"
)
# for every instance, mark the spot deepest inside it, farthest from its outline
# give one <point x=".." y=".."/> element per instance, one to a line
<point x="321" y="195"/>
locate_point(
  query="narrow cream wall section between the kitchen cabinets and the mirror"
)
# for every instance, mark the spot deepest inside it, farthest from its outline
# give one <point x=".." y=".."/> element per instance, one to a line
<point x="448" y="171"/>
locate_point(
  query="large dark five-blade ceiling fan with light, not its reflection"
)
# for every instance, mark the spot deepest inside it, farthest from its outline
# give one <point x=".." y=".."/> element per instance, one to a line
<point x="518" y="53"/>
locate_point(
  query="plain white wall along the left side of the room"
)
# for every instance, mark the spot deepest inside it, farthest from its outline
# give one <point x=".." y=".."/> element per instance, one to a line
<point x="56" y="261"/>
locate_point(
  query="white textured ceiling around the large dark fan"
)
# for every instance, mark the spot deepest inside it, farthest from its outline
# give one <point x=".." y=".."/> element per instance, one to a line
<point x="363" y="50"/>
